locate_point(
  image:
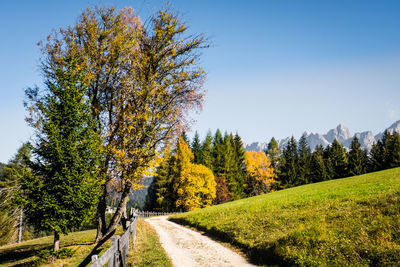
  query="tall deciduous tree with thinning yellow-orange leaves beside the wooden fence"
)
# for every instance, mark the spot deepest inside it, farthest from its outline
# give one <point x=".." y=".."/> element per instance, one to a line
<point x="143" y="81"/>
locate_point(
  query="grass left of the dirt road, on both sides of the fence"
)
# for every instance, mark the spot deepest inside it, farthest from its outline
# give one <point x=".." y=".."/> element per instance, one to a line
<point x="147" y="249"/>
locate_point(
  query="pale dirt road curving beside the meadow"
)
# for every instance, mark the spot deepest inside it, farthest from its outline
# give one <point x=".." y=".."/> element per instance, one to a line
<point x="187" y="248"/>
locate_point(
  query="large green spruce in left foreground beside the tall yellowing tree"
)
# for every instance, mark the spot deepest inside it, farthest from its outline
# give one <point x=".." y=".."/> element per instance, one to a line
<point x="63" y="192"/>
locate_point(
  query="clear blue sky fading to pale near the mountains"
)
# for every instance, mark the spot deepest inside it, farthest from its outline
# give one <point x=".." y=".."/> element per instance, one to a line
<point x="275" y="68"/>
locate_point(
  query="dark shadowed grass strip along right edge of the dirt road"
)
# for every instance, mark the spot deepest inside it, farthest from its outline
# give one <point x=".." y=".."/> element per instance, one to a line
<point x="257" y="255"/>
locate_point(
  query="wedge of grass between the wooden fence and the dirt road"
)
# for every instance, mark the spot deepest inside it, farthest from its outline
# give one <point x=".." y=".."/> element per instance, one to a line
<point x="147" y="250"/>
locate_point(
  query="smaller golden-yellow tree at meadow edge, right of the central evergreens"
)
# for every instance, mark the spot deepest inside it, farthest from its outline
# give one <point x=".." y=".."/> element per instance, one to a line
<point x="260" y="174"/>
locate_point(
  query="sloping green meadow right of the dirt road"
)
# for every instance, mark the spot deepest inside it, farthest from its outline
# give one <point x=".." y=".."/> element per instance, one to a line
<point x="346" y="222"/>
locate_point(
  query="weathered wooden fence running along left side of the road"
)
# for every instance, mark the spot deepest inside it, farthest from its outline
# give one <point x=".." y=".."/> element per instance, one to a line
<point x="116" y="255"/>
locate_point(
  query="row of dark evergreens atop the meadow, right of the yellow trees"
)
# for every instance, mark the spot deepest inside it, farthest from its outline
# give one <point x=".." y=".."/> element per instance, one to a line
<point x="296" y="164"/>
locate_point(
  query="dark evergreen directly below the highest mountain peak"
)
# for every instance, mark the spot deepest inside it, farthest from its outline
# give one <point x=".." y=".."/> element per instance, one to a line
<point x="338" y="158"/>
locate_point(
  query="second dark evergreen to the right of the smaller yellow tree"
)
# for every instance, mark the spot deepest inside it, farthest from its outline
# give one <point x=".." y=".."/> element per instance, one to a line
<point x="288" y="173"/>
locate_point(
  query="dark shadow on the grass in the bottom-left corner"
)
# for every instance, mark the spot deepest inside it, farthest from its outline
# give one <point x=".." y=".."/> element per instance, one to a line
<point x="21" y="253"/>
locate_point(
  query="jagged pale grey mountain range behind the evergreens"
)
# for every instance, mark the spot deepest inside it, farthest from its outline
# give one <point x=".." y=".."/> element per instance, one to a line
<point x="341" y="133"/>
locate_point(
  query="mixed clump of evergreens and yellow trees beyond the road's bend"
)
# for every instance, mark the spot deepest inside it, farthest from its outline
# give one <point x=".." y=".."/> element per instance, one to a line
<point x="233" y="173"/>
